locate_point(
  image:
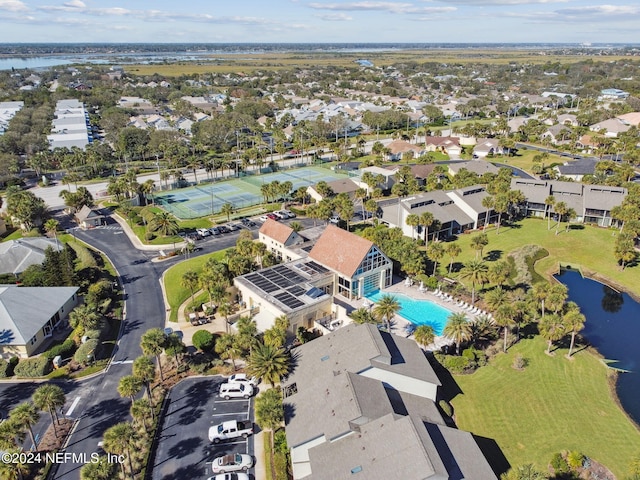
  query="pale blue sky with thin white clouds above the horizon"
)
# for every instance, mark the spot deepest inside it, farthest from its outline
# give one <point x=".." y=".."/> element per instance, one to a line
<point x="334" y="21"/>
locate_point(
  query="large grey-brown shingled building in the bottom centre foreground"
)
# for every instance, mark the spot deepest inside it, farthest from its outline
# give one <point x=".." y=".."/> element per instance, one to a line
<point x="361" y="403"/>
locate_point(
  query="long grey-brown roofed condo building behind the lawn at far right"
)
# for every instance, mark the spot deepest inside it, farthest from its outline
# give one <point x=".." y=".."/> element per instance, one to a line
<point x="592" y="203"/>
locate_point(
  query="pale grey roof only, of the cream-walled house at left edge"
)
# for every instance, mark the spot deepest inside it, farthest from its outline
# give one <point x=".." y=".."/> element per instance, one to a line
<point x="25" y="310"/>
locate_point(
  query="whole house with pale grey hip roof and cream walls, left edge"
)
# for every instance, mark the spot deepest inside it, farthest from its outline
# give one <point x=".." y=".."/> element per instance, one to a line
<point x="28" y="316"/>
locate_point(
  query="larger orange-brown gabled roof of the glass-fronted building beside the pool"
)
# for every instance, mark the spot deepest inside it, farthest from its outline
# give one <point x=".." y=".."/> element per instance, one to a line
<point x="341" y="251"/>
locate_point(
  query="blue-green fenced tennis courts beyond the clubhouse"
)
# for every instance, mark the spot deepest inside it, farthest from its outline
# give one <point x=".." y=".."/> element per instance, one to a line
<point x="208" y="198"/>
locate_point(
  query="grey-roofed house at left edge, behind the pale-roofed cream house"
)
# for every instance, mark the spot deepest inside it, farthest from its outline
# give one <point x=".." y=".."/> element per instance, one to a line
<point x="17" y="255"/>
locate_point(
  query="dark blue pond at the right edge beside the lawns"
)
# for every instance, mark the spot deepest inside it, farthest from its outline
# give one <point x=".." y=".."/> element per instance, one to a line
<point x="613" y="328"/>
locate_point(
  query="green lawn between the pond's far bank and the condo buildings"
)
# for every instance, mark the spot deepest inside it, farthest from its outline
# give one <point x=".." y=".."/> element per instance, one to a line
<point x="588" y="247"/>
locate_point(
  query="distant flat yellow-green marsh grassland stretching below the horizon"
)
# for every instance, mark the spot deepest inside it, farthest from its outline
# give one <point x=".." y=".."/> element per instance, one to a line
<point x="248" y="63"/>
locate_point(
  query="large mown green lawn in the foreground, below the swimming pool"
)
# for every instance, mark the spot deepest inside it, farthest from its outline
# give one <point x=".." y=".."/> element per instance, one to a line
<point x="554" y="404"/>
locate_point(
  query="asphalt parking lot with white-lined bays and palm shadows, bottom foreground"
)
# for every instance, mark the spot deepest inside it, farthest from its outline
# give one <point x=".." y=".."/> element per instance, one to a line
<point x="184" y="450"/>
